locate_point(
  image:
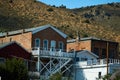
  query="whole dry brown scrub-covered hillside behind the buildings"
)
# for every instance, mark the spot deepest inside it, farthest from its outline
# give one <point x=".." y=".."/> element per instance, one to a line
<point x="100" y="21"/>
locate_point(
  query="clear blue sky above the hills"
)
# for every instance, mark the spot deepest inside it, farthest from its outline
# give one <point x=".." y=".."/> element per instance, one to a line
<point x="77" y="3"/>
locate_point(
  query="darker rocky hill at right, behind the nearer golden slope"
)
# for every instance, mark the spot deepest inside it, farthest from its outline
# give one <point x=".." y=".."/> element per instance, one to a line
<point x="103" y="15"/>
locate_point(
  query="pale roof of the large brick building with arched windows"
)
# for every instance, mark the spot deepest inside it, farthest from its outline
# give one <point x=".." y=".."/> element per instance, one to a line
<point x="34" y="30"/>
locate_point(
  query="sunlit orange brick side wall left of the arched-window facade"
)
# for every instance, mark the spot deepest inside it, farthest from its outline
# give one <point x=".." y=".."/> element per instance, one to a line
<point x="24" y="39"/>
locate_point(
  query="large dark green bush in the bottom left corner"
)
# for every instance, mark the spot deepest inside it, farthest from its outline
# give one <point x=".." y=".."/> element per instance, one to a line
<point x="13" y="69"/>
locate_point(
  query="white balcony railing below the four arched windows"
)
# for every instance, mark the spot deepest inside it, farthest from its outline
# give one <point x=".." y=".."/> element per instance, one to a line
<point x="37" y="52"/>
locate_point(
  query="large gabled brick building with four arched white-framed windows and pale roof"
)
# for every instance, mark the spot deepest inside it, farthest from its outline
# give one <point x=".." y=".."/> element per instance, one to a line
<point x="45" y="37"/>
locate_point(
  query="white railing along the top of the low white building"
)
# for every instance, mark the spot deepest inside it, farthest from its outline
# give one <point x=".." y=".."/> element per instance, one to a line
<point x="98" y="62"/>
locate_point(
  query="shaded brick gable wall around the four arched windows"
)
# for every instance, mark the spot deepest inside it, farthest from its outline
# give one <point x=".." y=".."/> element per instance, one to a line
<point x="48" y="34"/>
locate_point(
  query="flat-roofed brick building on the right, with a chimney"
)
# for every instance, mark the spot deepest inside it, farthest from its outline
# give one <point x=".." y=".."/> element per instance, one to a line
<point x="95" y="45"/>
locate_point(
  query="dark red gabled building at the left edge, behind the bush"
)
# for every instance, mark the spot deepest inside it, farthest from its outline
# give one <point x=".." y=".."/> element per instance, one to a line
<point x="13" y="50"/>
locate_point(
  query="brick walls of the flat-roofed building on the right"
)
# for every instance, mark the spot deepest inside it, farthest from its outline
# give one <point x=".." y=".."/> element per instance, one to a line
<point x="91" y="44"/>
